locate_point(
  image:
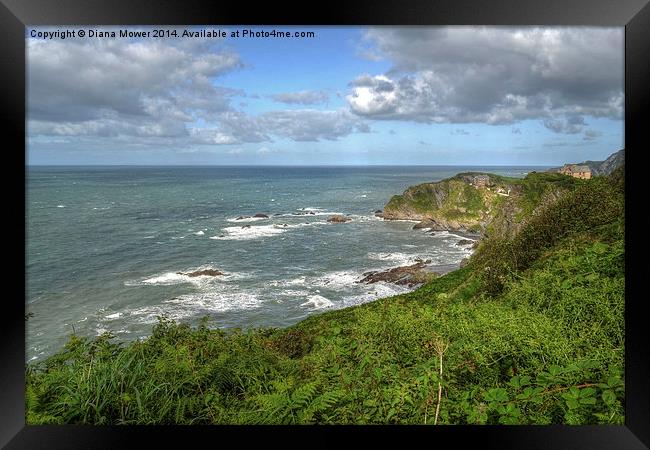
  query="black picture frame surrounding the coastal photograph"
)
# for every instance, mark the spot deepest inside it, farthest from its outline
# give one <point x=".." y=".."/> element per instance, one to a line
<point x="634" y="15"/>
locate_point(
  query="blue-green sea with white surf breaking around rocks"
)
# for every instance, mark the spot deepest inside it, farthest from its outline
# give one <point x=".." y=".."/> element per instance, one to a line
<point x="108" y="248"/>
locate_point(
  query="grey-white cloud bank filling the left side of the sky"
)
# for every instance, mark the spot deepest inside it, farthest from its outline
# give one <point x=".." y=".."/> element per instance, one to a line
<point x="155" y="91"/>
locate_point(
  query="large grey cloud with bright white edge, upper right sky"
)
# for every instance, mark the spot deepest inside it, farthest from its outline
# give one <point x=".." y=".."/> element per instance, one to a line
<point x="493" y="75"/>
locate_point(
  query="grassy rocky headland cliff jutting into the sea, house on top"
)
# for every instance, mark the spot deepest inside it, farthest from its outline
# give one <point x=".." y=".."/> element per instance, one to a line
<point x="480" y="203"/>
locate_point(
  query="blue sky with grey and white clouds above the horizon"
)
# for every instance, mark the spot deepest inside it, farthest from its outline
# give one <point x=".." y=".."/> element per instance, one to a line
<point x="346" y="96"/>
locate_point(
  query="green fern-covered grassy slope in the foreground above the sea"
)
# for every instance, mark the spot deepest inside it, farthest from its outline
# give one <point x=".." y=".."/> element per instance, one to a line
<point x="535" y="338"/>
